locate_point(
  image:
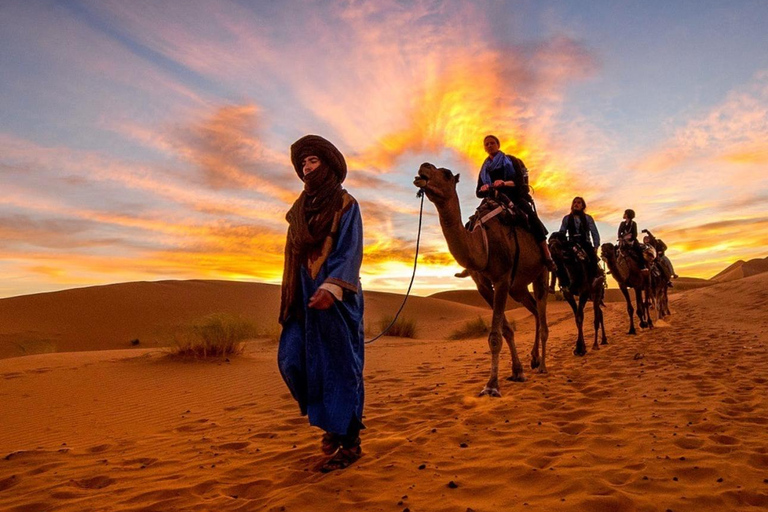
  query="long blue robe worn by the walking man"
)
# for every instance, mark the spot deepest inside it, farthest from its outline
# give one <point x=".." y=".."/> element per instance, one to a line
<point x="321" y="356"/>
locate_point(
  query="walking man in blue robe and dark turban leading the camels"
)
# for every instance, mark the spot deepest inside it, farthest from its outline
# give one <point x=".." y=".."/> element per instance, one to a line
<point x="321" y="351"/>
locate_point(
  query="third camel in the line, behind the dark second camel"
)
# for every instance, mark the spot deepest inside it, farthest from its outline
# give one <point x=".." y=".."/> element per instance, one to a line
<point x="628" y="274"/>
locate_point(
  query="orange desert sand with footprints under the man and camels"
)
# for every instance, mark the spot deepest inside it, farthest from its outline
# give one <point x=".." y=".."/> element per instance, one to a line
<point x="671" y="419"/>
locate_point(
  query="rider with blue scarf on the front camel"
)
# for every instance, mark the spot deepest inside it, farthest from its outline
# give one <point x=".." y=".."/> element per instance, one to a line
<point x="500" y="173"/>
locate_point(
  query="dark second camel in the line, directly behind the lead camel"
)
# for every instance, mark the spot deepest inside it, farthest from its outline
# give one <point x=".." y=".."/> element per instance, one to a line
<point x="574" y="277"/>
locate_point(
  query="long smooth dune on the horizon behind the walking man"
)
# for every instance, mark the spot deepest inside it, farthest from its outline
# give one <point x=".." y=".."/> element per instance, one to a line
<point x="110" y="317"/>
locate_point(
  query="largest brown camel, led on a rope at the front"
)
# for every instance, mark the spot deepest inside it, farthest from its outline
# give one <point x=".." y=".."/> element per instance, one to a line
<point x="513" y="263"/>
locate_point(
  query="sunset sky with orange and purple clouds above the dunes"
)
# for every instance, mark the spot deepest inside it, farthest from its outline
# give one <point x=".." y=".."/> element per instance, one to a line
<point x="149" y="140"/>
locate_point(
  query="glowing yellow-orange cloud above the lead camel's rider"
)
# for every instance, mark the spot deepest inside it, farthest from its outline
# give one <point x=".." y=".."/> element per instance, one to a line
<point x="508" y="93"/>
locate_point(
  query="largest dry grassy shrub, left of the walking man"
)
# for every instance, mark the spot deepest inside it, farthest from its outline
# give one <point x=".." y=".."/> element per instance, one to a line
<point x="218" y="335"/>
